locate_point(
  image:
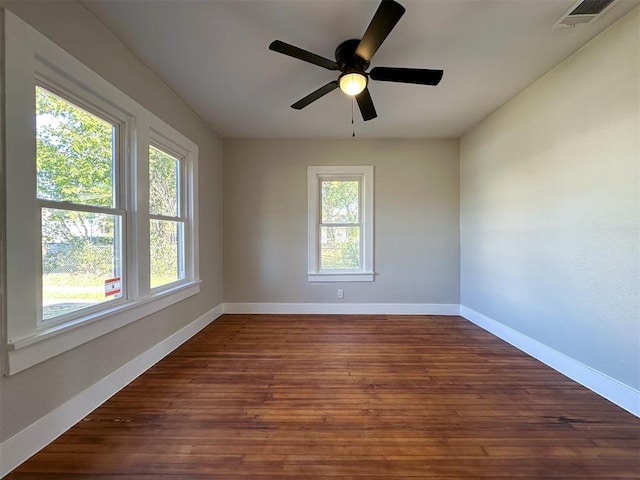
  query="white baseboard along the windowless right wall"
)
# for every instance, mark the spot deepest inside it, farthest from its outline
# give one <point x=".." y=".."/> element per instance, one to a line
<point x="622" y="395"/>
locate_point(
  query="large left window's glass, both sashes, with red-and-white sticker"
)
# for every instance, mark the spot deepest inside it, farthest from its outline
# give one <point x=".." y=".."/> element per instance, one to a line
<point x="81" y="224"/>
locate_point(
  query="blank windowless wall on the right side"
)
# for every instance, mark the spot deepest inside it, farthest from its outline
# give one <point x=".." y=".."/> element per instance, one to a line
<point x="550" y="239"/>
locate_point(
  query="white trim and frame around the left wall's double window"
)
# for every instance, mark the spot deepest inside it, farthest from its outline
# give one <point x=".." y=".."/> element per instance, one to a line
<point x="29" y="58"/>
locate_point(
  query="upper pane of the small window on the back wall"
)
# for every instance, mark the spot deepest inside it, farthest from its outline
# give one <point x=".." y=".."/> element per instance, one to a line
<point x="340" y="201"/>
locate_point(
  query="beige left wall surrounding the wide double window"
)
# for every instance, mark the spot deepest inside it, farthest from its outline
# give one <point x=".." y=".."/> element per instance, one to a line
<point x="29" y="395"/>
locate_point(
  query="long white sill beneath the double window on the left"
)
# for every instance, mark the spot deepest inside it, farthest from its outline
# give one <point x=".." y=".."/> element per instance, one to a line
<point x="50" y="341"/>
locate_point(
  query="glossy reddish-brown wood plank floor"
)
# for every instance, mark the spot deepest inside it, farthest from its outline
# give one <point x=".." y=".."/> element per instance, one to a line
<point x="311" y="397"/>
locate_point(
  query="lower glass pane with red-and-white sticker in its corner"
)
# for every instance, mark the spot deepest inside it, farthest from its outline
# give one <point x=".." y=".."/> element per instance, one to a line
<point x="81" y="260"/>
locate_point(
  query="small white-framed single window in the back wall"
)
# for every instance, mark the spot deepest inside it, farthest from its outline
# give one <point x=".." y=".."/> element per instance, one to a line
<point x="340" y="215"/>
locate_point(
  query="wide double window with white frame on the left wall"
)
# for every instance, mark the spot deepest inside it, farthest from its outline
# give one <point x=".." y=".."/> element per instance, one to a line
<point x="101" y="209"/>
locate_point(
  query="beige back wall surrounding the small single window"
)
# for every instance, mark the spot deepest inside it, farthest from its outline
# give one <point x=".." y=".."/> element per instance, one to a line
<point x="416" y="253"/>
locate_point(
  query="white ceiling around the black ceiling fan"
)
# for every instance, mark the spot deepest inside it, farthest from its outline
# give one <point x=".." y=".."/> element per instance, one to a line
<point x="214" y="55"/>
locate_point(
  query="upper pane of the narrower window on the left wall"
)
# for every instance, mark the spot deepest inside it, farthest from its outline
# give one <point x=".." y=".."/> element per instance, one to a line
<point x="163" y="183"/>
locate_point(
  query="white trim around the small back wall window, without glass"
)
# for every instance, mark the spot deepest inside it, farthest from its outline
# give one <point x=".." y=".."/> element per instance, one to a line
<point x="364" y="173"/>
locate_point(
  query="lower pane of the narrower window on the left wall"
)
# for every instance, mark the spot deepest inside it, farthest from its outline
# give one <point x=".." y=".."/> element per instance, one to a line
<point x="166" y="242"/>
